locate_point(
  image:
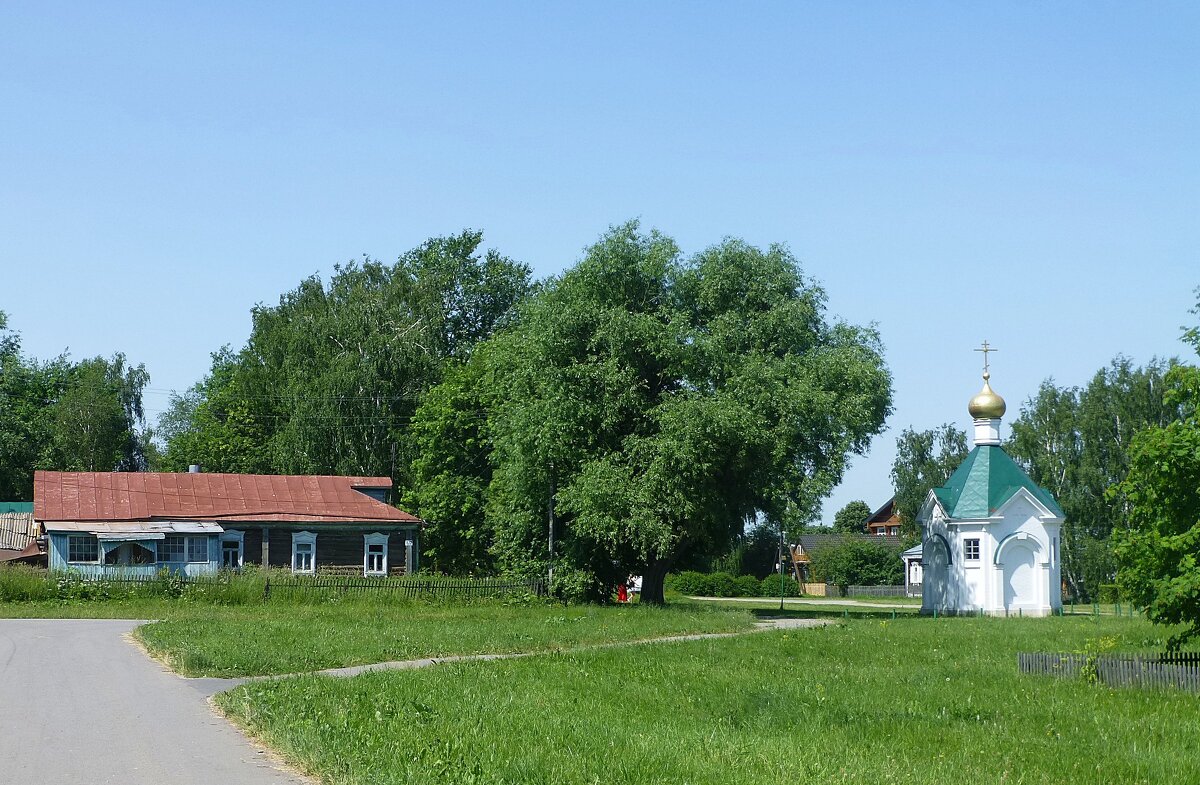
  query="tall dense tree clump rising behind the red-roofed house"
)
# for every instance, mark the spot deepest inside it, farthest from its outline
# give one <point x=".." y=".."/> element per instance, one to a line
<point x="332" y="376"/>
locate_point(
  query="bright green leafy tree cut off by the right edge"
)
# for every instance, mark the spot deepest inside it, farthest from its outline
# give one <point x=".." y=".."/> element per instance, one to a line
<point x="1157" y="543"/>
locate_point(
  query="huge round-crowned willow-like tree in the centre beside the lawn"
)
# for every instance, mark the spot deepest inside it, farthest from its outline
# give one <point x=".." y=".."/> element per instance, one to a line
<point x="646" y="406"/>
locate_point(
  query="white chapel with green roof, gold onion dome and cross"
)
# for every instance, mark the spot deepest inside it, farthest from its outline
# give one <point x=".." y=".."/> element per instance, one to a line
<point x="991" y="536"/>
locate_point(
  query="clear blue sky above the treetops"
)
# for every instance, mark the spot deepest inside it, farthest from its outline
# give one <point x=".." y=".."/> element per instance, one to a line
<point x="1025" y="173"/>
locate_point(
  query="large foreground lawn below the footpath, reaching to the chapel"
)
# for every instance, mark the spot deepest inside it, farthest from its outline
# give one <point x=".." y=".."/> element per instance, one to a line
<point x="914" y="700"/>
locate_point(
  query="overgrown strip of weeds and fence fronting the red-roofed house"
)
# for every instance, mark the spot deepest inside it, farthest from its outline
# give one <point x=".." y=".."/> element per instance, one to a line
<point x="21" y="584"/>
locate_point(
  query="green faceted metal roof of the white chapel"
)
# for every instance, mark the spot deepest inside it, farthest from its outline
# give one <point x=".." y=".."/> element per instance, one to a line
<point x="985" y="482"/>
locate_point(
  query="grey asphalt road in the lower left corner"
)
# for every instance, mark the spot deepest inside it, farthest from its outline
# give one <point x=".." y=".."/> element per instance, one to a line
<point x="81" y="705"/>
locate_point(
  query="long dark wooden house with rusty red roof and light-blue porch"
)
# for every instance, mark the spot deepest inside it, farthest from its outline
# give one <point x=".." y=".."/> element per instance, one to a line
<point x="195" y="524"/>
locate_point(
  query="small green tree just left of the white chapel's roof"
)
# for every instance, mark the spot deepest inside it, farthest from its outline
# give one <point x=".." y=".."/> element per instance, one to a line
<point x="925" y="462"/>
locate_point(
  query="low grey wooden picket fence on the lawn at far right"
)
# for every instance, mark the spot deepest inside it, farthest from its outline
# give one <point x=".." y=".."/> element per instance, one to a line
<point x="1155" y="672"/>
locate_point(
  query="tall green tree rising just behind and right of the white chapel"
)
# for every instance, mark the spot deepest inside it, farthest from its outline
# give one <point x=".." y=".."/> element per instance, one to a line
<point x="1076" y="442"/>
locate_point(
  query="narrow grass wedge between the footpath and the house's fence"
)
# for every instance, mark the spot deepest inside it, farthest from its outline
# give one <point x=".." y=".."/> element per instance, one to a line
<point x="254" y="642"/>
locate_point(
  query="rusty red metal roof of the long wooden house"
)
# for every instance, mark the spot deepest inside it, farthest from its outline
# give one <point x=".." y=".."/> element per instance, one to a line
<point x="143" y="496"/>
